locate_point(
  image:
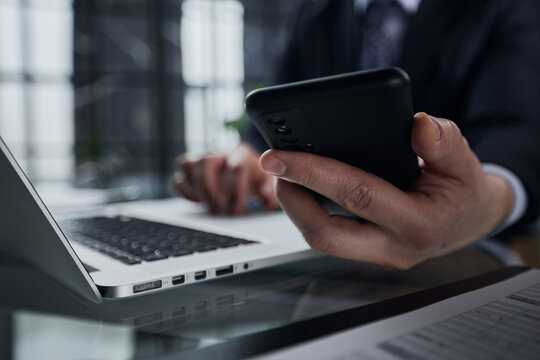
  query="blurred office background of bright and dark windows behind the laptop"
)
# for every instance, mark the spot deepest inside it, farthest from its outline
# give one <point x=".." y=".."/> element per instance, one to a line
<point x="105" y="93"/>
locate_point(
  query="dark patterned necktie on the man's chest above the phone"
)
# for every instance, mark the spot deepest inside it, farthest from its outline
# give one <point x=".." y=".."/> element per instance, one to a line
<point x="384" y="25"/>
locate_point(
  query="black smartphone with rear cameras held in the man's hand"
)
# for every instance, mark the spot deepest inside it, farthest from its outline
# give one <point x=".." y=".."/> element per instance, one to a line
<point x="363" y="119"/>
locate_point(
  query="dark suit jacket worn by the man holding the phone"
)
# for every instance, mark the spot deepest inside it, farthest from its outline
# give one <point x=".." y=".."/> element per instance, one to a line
<point x="476" y="62"/>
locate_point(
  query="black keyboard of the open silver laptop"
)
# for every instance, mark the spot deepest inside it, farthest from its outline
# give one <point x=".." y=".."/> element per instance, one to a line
<point x="133" y="241"/>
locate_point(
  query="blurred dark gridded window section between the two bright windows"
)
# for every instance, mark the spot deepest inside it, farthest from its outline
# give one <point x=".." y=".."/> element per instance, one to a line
<point x="129" y="95"/>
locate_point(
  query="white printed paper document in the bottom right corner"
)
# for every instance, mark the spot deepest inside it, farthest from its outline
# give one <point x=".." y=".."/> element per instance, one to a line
<point x="500" y="321"/>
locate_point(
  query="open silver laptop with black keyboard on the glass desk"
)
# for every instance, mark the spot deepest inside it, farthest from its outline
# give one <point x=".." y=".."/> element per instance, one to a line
<point x="140" y="247"/>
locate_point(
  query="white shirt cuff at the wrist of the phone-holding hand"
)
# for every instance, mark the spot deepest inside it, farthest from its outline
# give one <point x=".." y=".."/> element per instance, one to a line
<point x="518" y="190"/>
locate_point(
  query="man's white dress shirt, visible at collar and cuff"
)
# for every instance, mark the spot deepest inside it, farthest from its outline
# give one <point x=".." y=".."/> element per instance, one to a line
<point x="520" y="195"/>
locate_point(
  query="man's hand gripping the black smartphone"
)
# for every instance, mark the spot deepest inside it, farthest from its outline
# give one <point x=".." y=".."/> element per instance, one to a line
<point x="453" y="203"/>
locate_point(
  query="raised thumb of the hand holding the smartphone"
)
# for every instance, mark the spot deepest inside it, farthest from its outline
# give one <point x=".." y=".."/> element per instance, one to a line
<point x="441" y="145"/>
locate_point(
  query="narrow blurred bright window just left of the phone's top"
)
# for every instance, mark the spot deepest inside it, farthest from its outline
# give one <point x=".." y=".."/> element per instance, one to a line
<point x="213" y="71"/>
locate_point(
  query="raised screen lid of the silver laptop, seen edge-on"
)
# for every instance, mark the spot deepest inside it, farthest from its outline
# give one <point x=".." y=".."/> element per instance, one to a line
<point x="25" y="217"/>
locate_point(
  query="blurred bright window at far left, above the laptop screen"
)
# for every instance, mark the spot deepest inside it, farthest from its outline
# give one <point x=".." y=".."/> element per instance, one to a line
<point x="36" y="97"/>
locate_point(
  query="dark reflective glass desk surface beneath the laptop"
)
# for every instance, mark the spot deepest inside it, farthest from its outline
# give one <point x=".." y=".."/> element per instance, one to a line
<point x="41" y="320"/>
